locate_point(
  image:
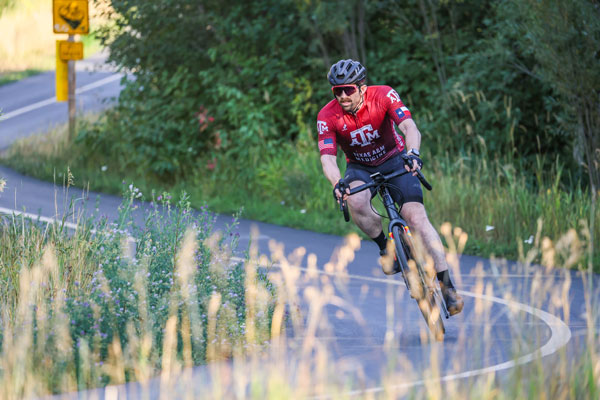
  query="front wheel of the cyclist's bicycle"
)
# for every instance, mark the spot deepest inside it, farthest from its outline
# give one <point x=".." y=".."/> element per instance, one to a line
<point x="418" y="289"/>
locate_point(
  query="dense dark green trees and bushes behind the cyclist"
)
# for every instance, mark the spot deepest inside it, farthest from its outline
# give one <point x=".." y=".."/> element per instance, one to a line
<point x="456" y="63"/>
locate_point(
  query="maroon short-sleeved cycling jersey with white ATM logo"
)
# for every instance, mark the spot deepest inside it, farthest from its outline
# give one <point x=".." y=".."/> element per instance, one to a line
<point x="368" y="137"/>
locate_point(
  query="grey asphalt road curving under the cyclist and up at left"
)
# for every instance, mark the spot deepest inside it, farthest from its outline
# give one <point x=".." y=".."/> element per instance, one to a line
<point x="476" y="342"/>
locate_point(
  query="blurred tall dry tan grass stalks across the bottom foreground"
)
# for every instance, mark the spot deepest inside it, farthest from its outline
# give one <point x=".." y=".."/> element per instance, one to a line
<point x="290" y="354"/>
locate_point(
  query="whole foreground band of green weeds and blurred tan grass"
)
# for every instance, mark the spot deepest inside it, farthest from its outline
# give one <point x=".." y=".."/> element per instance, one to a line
<point x="83" y="310"/>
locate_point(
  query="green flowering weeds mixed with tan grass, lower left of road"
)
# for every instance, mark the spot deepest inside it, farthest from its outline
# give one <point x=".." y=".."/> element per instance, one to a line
<point x="80" y="307"/>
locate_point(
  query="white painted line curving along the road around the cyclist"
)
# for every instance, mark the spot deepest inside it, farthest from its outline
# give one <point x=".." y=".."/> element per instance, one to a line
<point x="559" y="337"/>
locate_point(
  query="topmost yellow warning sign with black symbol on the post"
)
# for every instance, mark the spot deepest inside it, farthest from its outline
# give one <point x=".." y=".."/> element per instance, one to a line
<point x="71" y="16"/>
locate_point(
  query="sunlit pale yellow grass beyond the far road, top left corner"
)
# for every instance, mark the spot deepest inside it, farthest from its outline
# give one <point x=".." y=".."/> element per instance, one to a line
<point x="28" y="42"/>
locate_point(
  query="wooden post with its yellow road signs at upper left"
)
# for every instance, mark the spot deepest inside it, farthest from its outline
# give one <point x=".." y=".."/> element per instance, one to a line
<point x="70" y="17"/>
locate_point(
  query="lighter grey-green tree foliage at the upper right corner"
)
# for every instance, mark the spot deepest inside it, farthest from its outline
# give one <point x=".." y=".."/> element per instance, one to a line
<point x="564" y="38"/>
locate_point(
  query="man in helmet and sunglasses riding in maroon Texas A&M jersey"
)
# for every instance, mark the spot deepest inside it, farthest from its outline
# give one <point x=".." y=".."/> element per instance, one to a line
<point x="360" y="119"/>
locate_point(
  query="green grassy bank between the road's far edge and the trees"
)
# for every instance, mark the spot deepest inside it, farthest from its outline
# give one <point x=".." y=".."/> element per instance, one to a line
<point x="504" y="210"/>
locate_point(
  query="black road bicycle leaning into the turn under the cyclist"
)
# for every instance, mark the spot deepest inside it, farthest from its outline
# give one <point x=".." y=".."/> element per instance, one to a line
<point x="424" y="289"/>
